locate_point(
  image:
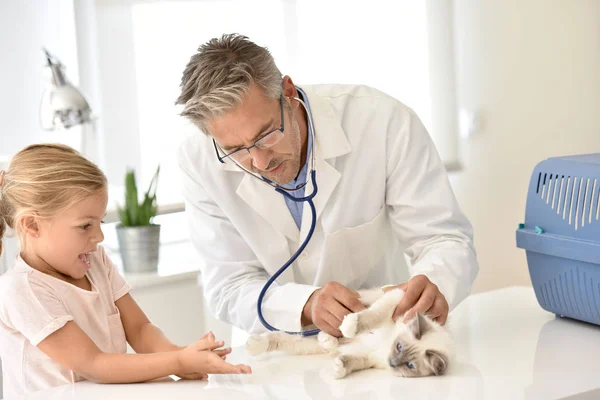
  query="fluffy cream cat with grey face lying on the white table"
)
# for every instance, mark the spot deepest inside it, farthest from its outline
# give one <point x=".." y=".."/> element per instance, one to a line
<point x="371" y="339"/>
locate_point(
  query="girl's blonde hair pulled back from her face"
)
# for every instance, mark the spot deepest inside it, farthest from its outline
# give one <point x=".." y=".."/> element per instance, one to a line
<point x="45" y="180"/>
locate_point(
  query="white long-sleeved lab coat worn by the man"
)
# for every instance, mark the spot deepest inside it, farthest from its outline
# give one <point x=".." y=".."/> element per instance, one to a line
<point x="383" y="192"/>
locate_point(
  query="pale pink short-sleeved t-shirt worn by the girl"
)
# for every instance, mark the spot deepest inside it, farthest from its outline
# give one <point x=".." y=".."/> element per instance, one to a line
<point x="33" y="305"/>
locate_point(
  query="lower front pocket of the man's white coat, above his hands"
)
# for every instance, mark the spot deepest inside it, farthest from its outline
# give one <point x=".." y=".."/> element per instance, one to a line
<point x="351" y="253"/>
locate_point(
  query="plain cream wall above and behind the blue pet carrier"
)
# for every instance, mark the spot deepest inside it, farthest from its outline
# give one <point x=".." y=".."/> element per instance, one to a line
<point x="533" y="70"/>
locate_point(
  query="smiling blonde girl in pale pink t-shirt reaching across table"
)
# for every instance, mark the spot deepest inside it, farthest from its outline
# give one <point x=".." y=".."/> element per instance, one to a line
<point x="65" y="312"/>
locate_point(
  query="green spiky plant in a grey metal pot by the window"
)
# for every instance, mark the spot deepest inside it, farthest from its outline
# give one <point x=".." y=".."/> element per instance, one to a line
<point x="138" y="237"/>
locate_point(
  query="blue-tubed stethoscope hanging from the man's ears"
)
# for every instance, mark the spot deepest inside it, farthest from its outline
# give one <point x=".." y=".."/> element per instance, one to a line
<point x="286" y="192"/>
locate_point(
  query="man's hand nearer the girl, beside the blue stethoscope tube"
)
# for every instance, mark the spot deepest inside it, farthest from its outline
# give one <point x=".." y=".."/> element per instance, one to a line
<point x="327" y="307"/>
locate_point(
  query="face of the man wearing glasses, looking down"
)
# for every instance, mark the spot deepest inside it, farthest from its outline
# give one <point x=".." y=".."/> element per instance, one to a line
<point x="248" y="122"/>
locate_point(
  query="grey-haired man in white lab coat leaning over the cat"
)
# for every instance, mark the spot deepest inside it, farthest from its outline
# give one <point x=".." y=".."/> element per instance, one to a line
<point x="384" y="200"/>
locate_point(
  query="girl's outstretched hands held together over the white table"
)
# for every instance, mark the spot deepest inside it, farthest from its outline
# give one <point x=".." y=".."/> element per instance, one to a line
<point x="206" y="357"/>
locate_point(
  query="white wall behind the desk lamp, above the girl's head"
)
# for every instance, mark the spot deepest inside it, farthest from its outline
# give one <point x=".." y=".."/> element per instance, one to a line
<point x="25" y="27"/>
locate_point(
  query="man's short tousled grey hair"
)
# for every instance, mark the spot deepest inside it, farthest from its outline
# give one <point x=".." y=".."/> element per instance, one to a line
<point x="221" y="72"/>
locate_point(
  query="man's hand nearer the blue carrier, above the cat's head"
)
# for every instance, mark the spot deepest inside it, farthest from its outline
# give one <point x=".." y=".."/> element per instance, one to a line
<point x="421" y="296"/>
